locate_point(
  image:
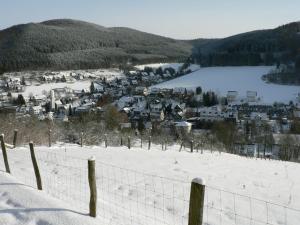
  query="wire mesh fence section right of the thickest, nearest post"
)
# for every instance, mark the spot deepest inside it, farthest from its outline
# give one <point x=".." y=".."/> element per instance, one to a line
<point x="225" y="207"/>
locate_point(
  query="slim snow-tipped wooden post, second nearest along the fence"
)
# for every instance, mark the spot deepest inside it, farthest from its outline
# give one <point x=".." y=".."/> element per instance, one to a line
<point x="93" y="187"/>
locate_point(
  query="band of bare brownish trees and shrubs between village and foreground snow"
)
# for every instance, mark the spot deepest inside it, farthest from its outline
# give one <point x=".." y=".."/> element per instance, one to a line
<point x="223" y="135"/>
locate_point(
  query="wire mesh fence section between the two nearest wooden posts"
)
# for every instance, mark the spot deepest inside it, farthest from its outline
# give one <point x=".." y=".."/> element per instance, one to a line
<point x="139" y="198"/>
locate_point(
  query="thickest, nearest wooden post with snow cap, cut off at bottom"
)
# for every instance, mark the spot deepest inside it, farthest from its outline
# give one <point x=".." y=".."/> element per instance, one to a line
<point x="196" y="202"/>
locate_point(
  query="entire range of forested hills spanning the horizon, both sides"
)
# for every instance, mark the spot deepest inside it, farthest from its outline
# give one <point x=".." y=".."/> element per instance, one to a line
<point x="72" y="44"/>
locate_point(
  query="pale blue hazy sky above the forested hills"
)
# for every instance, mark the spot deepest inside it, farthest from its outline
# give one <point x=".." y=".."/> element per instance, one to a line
<point x="182" y="19"/>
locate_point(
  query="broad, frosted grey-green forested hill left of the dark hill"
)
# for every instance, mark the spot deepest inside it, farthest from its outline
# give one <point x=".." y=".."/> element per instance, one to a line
<point x="64" y="44"/>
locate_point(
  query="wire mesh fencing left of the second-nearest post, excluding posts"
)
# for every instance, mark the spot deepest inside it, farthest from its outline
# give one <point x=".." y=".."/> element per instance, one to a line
<point x="63" y="177"/>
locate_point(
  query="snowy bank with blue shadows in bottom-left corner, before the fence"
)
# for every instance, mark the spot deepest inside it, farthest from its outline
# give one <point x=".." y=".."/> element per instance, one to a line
<point x="21" y="204"/>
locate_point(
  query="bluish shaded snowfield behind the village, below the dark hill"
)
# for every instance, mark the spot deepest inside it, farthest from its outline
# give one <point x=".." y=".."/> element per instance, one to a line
<point x="241" y="79"/>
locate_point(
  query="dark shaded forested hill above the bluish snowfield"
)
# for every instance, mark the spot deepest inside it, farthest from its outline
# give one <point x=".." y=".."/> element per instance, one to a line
<point x="266" y="47"/>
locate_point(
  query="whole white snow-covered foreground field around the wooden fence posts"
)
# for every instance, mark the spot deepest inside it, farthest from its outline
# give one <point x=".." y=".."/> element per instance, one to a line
<point x="141" y="187"/>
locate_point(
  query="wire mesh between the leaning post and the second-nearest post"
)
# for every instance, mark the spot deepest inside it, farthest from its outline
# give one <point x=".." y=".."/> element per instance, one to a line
<point x="65" y="178"/>
